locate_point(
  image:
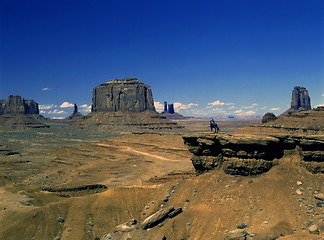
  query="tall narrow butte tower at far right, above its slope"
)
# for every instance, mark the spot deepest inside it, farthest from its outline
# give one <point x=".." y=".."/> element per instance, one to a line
<point x="300" y="99"/>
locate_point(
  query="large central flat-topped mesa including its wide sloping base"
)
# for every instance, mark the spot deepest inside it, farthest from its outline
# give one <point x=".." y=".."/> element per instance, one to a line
<point x="123" y="105"/>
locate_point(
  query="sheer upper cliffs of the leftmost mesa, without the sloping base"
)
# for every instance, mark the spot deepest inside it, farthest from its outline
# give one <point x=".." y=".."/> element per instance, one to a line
<point x="18" y="105"/>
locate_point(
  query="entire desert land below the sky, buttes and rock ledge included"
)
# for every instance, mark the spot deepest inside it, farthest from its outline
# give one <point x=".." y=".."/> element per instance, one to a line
<point x="125" y="171"/>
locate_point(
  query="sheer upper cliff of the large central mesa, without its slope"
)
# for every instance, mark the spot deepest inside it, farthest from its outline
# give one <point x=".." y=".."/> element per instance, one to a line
<point x="125" y="95"/>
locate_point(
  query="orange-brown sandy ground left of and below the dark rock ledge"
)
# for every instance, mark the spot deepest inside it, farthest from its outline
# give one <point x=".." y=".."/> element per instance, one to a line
<point x="95" y="185"/>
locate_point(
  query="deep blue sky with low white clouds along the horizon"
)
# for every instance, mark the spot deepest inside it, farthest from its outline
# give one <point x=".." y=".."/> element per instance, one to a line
<point x="211" y="58"/>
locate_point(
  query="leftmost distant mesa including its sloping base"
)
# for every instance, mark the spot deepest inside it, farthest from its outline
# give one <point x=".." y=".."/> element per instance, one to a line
<point x="18" y="113"/>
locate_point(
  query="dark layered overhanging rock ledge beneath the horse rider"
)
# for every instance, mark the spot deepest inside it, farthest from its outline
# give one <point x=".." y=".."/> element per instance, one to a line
<point x="251" y="154"/>
